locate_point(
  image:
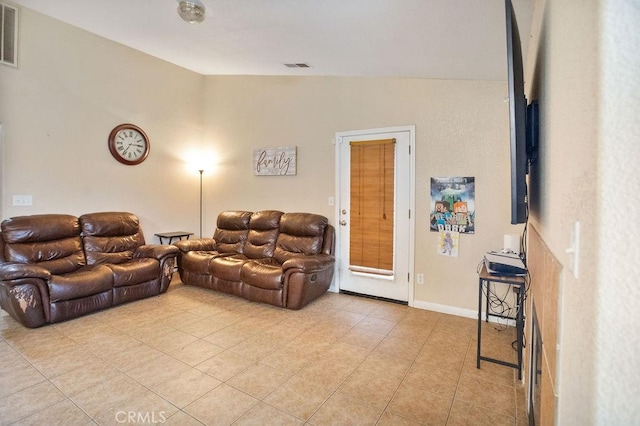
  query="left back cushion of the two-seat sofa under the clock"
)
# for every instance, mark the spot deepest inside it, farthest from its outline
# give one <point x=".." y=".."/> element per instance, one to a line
<point x="50" y="240"/>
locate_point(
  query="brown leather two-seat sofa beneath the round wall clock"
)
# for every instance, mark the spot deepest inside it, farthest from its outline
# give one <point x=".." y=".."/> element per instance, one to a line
<point x="55" y="267"/>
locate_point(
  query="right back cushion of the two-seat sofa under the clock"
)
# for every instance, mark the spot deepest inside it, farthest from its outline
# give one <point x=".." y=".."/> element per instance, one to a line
<point x="110" y="237"/>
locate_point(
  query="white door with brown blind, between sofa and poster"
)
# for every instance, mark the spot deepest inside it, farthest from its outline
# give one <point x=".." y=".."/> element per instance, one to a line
<point x="374" y="237"/>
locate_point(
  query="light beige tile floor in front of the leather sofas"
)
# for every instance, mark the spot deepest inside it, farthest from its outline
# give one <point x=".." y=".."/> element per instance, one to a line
<point x="194" y="356"/>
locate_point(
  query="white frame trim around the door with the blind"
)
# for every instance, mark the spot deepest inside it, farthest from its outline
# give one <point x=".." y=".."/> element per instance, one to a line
<point x="412" y="203"/>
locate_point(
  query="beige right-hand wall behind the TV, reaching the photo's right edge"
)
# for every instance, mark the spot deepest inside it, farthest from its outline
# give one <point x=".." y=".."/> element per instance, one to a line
<point x="583" y="69"/>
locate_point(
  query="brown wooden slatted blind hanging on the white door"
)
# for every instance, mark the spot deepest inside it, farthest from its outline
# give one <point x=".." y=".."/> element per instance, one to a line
<point x="372" y="188"/>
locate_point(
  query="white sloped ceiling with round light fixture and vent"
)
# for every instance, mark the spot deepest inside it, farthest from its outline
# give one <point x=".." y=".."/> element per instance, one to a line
<point x="442" y="39"/>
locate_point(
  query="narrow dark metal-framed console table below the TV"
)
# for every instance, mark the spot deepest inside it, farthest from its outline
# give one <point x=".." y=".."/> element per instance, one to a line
<point x="485" y="279"/>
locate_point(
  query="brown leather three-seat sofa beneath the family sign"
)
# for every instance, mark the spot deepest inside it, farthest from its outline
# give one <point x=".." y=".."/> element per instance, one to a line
<point x="284" y="259"/>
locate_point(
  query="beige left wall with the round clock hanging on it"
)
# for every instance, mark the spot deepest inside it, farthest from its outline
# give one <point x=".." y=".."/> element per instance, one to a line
<point x="58" y="108"/>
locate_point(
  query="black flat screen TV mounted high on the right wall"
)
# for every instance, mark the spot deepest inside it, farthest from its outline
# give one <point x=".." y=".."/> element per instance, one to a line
<point x="517" y="119"/>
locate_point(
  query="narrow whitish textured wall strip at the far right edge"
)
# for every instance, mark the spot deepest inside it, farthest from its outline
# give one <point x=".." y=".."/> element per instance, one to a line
<point x="618" y="360"/>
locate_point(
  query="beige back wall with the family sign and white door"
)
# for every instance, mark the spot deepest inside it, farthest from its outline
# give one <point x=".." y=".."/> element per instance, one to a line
<point x="461" y="130"/>
